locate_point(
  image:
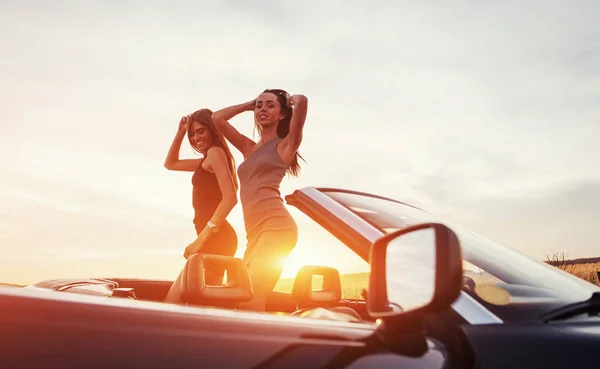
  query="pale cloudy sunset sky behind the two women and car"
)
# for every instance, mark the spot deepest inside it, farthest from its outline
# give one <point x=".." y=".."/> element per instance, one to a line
<point x="488" y="115"/>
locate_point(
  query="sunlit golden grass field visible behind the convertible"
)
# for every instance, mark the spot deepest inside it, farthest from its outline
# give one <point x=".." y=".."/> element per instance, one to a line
<point x="353" y="284"/>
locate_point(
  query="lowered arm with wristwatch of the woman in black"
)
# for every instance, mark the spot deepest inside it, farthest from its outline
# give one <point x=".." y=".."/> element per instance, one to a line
<point x="217" y="161"/>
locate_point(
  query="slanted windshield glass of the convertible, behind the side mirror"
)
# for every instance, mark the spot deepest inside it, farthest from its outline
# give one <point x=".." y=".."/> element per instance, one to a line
<point x="513" y="267"/>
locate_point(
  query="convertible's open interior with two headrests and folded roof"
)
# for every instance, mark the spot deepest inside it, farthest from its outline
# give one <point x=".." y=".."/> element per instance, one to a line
<point x="305" y="301"/>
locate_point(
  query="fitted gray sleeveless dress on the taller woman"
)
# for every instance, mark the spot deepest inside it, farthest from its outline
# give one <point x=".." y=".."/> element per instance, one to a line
<point x="270" y="229"/>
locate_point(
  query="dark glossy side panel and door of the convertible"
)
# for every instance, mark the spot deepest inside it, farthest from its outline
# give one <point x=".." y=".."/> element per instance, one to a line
<point x="52" y="329"/>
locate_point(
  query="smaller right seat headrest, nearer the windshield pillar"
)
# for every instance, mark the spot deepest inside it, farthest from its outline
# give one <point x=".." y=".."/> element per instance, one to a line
<point x="303" y="293"/>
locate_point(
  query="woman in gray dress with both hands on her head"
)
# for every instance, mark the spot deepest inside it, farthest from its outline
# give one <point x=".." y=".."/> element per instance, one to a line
<point x="271" y="231"/>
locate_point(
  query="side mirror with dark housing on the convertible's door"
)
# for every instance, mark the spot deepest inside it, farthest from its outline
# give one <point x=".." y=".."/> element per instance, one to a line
<point x="446" y="273"/>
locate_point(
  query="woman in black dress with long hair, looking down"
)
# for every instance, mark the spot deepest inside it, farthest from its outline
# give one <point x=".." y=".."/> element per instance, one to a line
<point x="214" y="190"/>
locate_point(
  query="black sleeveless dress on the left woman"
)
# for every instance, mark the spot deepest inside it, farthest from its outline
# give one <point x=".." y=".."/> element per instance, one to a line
<point x="206" y="196"/>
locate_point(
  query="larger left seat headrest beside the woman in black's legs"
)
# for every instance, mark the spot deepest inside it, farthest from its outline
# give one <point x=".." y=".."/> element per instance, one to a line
<point x="194" y="289"/>
